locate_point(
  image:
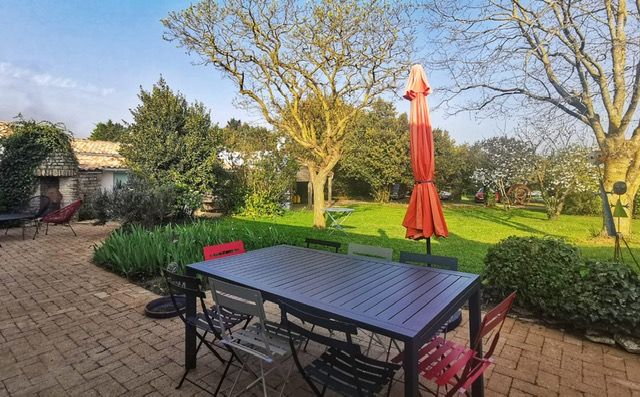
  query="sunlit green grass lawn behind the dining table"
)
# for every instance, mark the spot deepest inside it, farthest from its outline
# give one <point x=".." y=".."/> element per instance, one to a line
<point x="472" y="229"/>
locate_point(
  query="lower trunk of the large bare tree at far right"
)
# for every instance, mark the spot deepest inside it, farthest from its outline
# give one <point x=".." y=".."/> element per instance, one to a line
<point x="615" y="169"/>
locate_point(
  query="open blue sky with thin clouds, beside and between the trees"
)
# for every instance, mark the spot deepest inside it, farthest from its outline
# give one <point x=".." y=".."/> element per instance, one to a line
<point x="83" y="61"/>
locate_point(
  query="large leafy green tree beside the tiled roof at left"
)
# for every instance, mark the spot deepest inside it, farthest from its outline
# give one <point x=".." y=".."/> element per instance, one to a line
<point x="172" y="140"/>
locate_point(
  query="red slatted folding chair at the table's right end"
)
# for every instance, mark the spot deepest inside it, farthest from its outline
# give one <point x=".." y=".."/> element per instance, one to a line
<point x="449" y="364"/>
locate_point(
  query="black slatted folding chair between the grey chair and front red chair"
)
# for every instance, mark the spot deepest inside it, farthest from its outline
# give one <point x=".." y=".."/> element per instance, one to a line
<point x="342" y="367"/>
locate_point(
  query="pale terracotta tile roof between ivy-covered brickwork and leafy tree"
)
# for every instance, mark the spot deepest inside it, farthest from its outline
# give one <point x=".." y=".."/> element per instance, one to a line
<point x="94" y="155"/>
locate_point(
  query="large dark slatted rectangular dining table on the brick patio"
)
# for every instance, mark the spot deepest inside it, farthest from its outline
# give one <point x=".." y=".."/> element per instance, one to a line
<point x="404" y="302"/>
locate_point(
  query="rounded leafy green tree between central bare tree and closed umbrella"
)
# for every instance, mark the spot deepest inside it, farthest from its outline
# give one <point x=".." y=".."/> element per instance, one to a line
<point x="377" y="150"/>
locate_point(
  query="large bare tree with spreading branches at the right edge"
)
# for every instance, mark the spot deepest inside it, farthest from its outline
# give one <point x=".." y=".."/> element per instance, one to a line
<point x="581" y="58"/>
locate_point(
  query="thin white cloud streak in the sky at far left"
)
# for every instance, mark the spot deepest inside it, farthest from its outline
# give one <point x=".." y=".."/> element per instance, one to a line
<point x="13" y="72"/>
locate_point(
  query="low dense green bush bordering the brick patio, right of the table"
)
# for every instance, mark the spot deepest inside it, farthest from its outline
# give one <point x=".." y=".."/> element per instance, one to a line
<point x="554" y="283"/>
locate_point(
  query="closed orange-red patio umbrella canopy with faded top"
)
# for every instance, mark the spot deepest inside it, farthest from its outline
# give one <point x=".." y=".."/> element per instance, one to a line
<point x="424" y="217"/>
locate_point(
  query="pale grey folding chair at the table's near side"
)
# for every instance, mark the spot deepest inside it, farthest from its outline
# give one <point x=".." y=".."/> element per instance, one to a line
<point x="263" y="340"/>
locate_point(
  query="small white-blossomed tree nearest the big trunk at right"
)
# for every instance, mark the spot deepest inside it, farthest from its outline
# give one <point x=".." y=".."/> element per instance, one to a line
<point x="563" y="172"/>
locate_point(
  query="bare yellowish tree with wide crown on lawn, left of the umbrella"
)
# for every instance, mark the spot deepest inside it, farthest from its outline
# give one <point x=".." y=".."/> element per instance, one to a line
<point x="285" y="56"/>
